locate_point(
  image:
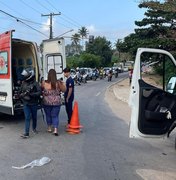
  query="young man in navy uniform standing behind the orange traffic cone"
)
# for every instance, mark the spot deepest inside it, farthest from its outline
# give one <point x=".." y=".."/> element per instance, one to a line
<point x="69" y="93"/>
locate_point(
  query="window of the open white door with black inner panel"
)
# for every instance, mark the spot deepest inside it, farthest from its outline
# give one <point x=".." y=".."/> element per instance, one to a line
<point x="157" y="69"/>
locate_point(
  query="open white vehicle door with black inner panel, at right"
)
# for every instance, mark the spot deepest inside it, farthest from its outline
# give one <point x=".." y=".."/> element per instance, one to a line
<point x="153" y="105"/>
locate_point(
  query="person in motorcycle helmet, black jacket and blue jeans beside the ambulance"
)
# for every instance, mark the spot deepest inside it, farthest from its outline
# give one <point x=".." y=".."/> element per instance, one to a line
<point x="30" y="94"/>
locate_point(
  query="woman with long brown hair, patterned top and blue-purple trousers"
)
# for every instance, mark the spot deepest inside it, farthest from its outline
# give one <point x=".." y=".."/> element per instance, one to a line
<point x="52" y="100"/>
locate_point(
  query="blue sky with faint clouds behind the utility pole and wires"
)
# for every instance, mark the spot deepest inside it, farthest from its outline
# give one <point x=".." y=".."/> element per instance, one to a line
<point x="112" y="19"/>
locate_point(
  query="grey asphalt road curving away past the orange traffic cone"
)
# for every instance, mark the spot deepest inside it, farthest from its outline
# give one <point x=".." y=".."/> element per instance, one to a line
<point x="102" y="151"/>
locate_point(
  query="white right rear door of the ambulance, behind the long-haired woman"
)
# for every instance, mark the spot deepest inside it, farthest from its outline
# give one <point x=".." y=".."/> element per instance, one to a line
<point x="54" y="56"/>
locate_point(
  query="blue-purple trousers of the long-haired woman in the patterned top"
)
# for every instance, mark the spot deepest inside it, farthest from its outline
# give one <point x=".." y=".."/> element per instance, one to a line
<point x="52" y="115"/>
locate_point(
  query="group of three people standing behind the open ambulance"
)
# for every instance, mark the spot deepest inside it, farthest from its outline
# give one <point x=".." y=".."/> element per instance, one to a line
<point x="48" y="95"/>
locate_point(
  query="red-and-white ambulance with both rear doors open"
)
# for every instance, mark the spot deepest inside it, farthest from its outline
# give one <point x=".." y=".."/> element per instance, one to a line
<point x="16" y="55"/>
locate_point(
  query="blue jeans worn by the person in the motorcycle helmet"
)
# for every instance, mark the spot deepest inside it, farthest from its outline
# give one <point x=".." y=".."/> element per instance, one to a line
<point x="30" y="111"/>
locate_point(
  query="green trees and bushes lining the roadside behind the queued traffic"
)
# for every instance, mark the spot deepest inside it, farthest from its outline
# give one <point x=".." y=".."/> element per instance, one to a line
<point x="156" y="30"/>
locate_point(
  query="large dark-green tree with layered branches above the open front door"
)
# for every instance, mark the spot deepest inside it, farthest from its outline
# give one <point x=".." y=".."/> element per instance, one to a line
<point x="156" y="30"/>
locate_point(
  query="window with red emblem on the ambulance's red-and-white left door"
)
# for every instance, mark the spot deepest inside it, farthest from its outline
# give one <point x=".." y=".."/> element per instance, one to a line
<point x="3" y="63"/>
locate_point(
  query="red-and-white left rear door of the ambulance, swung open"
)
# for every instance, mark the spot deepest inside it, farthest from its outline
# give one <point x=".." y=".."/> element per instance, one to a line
<point x="6" y="102"/>
